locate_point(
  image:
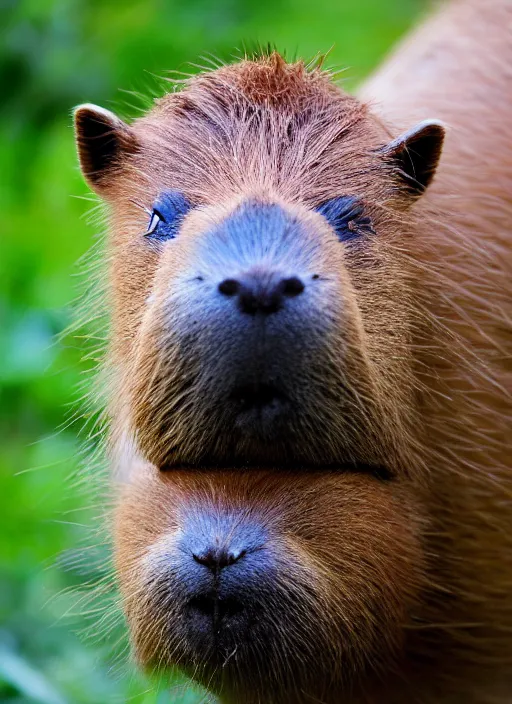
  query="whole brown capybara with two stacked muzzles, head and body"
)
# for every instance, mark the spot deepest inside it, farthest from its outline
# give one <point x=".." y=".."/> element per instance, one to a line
<point x="310" y="373"/>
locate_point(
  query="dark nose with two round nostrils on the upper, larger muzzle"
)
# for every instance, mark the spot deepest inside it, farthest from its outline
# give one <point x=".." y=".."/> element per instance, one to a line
<point x="261" y="290"/>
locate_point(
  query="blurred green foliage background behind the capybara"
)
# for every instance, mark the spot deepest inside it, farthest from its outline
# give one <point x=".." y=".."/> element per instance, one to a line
<point x="53" y="55"/>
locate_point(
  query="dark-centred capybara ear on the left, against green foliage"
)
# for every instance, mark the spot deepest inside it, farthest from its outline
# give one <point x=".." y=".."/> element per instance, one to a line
<point x="103" y="140"/>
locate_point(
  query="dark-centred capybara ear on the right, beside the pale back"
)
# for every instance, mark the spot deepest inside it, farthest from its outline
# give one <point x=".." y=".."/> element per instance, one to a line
<point x="415" y="155"/>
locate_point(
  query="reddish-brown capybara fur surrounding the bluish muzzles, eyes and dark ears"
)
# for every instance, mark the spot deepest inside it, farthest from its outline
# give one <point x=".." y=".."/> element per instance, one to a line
<point x="402" y="588"/>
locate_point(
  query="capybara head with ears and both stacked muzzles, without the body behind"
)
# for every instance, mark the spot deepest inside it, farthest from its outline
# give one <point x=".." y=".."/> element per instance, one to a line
<point x="263" y="397"/>
